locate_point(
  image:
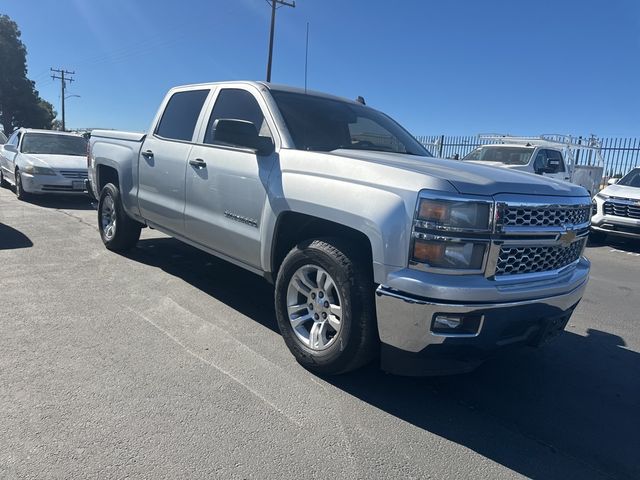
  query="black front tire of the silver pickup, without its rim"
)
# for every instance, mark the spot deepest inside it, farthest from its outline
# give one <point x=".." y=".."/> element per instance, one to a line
<point x="357" y="342"/>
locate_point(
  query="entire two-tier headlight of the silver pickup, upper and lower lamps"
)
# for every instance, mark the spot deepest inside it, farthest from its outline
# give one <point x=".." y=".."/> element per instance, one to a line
<point x="451" y="233"/>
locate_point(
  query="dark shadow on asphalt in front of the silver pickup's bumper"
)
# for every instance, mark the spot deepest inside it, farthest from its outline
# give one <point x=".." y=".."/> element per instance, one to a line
<point x="578" y="398"/>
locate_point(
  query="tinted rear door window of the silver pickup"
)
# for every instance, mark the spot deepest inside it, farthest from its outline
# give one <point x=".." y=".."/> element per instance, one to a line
<point x="181" y="115"/>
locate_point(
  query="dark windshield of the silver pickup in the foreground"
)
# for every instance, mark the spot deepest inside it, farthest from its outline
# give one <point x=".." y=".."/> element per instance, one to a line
<point x="324" y="124"/>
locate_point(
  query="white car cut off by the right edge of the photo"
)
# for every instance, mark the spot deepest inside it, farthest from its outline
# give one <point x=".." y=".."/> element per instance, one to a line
<point x="617" y="208"/>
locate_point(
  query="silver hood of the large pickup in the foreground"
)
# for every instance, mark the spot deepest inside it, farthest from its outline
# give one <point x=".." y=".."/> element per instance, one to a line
<point x="470" y="178"/>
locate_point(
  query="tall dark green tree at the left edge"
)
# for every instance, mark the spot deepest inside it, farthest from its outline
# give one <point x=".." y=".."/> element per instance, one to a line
<point x="20" y="102"/>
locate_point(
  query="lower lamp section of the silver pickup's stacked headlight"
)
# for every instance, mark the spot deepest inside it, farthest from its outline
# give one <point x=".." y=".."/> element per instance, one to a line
<point x="457" y="255"/>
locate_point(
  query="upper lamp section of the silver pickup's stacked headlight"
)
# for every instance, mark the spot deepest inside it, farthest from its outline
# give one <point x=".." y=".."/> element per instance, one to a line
<point x="454" y="215"/>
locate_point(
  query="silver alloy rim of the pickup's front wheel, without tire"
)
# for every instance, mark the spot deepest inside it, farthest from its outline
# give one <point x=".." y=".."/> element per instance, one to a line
<point x="314" y="307"/>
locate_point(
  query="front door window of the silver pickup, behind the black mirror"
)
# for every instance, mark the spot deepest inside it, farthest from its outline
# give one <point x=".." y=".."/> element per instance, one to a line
<point x="236" y="104"/>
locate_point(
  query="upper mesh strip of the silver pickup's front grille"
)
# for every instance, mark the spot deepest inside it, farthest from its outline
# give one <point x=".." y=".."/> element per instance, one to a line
<point x="517" y="216"/>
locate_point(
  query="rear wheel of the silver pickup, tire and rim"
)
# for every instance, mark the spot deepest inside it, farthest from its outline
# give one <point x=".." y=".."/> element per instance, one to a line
<point x="125" y="231"/>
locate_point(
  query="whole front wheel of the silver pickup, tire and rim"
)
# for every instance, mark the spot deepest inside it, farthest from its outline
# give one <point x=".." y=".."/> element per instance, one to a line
<point x="325" y="306"/>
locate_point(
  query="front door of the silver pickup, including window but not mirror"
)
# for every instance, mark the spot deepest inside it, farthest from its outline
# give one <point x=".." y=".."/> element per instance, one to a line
<point x="227" y="184"/>
